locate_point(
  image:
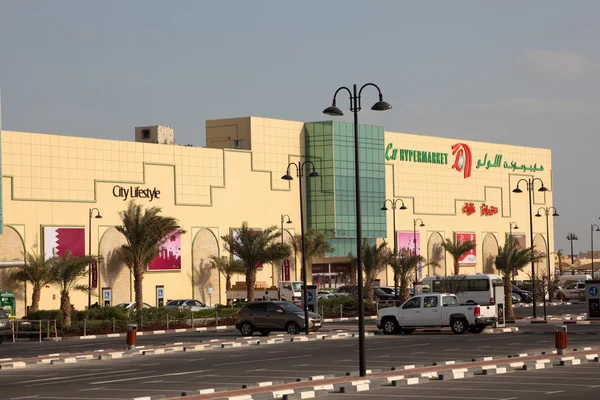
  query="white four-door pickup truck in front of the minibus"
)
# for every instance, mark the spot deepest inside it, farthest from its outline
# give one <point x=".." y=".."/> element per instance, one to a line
<point x="435" y="310"/>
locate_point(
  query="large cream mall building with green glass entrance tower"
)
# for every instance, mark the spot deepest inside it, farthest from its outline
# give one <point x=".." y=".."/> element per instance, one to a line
<point x="52" y="184"/>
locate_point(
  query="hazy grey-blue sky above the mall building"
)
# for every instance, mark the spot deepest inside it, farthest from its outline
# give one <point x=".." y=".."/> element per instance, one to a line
<point x="516" y="72"/>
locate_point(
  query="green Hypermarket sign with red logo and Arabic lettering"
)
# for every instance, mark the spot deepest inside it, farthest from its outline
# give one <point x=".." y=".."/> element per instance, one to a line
<point x="463" y="162"/>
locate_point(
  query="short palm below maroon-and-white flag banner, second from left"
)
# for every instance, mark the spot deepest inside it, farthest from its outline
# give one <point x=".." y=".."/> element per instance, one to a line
<point x="66" y="271"/>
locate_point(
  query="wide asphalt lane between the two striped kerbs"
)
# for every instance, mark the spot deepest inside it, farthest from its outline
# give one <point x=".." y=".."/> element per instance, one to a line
<point x="173" y="373"/>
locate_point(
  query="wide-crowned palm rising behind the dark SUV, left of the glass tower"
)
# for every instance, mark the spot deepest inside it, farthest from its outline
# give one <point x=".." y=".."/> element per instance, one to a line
<point x="255" y="248"/>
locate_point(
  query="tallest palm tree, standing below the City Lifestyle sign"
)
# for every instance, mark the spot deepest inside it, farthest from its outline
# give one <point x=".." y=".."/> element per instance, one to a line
<point x="145" y="231"/>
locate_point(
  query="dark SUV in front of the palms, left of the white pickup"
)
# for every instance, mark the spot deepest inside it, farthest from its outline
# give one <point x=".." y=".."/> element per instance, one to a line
<point x="267" y="316"/>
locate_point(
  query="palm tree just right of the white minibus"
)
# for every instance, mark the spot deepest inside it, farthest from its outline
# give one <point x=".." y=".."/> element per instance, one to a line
<point x="512" y="258"/>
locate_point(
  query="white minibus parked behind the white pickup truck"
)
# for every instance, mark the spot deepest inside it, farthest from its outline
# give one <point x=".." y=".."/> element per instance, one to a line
<point x="478" y="288"/>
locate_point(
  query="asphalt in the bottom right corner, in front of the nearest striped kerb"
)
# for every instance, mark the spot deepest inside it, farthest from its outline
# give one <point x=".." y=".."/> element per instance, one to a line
<point x="577" y="382"/>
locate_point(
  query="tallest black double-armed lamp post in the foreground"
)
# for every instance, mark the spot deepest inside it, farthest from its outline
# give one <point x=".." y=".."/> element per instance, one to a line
<point x="355" y="107"/>
